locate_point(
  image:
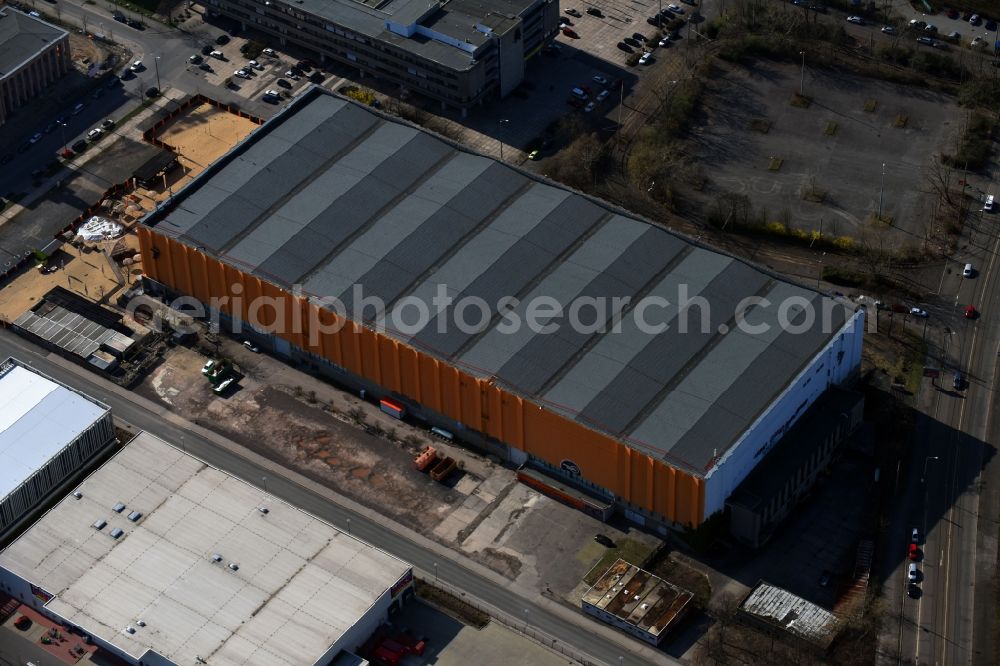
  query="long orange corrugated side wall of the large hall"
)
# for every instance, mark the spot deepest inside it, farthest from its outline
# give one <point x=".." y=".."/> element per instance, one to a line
<point x="477" y="403"/>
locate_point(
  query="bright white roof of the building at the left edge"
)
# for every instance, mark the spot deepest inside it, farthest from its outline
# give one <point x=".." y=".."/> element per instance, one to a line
<point x="38" y="418"/>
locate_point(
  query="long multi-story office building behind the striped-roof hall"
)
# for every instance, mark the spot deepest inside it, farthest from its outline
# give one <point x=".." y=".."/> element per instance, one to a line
<point x="459" y="52"/>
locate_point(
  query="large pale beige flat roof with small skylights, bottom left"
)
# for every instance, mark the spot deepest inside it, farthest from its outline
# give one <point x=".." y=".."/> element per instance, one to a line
<point x="300" y="582"/>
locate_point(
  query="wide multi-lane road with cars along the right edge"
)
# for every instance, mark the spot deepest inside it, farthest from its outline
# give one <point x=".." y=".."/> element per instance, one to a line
<point x="953" y="498"/>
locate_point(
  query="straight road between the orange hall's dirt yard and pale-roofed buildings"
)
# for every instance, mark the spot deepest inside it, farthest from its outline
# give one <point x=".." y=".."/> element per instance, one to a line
<point x="509" y="601"/>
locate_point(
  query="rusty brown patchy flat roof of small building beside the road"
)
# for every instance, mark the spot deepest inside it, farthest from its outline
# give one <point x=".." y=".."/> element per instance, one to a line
<point x="637" y="597"/>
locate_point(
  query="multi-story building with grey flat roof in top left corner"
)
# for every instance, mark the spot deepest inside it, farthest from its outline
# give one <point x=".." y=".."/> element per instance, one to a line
<point x="33" y="55"/>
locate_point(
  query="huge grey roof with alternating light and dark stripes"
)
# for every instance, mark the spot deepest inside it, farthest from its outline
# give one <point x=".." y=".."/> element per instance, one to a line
<point x="330" y="194"/>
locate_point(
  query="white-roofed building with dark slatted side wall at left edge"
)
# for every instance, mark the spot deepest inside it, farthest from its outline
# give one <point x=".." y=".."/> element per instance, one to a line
<point x="48" y="432"/>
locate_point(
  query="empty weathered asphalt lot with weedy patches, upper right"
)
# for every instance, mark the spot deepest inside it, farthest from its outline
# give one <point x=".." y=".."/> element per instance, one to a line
<point x="821" y="167"/>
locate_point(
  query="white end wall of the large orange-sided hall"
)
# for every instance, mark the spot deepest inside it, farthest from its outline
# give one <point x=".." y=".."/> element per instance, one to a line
<point x="835" y="364"/>
